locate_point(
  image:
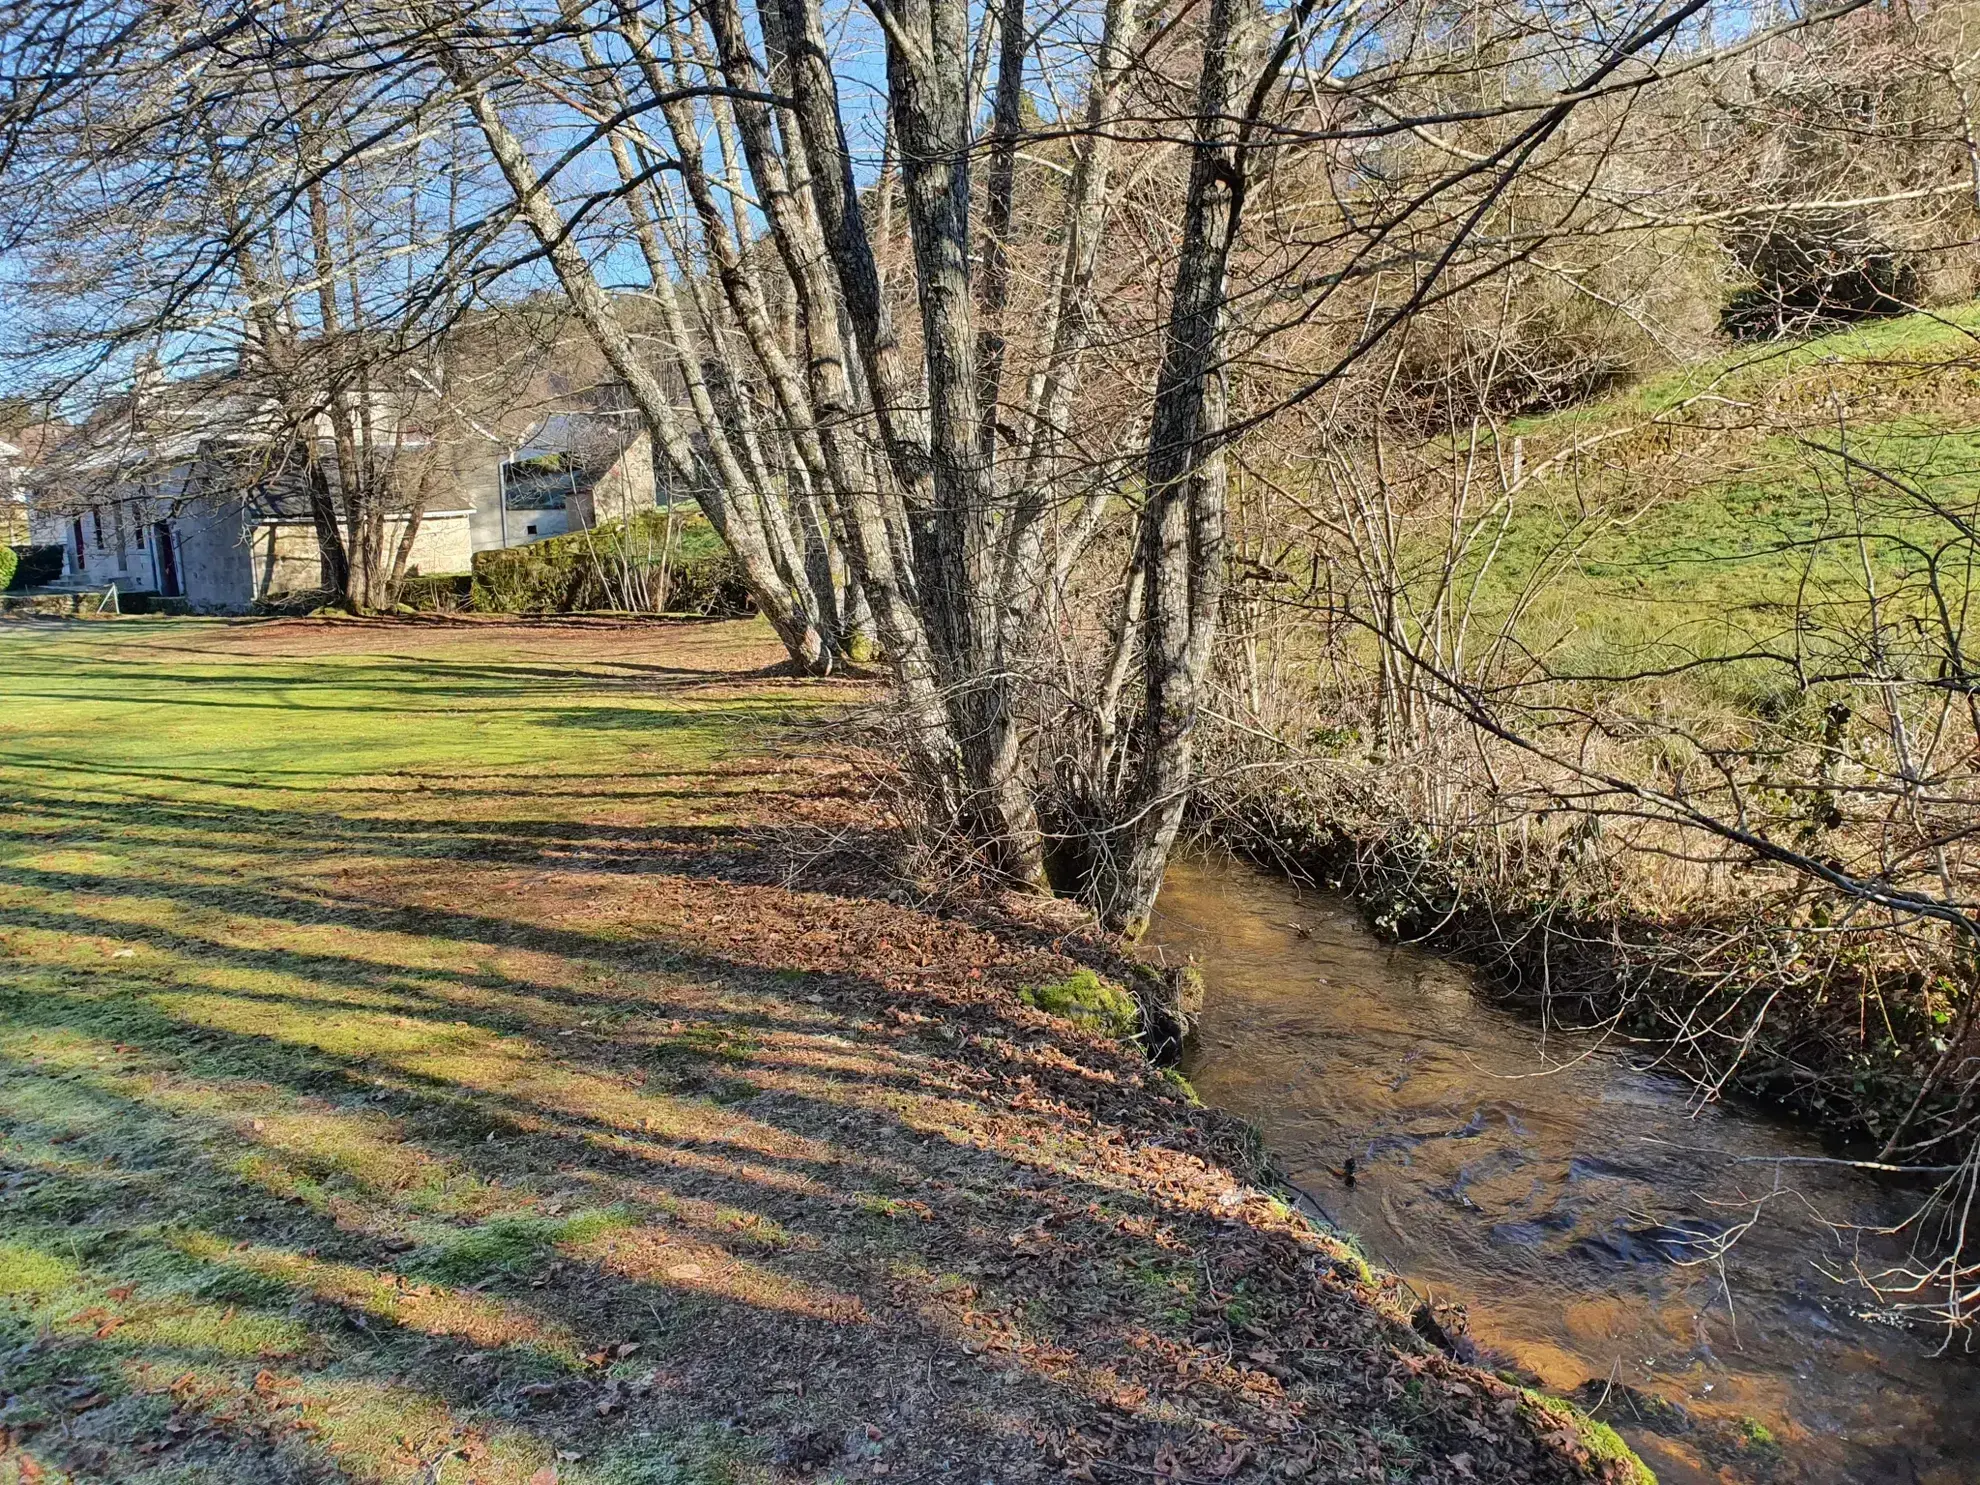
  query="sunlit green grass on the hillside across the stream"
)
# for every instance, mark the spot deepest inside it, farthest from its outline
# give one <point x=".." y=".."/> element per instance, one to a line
<point x="1698" y="520"/>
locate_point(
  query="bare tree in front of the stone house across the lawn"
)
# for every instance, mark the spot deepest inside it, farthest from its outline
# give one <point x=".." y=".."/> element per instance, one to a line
<point x="272" y="233"/>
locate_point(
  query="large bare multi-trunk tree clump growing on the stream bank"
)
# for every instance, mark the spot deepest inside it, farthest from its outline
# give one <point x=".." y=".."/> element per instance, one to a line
<point x="995" y="454"/>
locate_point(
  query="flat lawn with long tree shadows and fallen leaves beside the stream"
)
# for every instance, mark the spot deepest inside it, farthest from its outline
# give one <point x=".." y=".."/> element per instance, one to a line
<point x="417" y="1068"/>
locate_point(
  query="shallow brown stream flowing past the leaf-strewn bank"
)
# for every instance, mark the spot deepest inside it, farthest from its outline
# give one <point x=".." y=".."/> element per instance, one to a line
<point x="1567" y="1199"/>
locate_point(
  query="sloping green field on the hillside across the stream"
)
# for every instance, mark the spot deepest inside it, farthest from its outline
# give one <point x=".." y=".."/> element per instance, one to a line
<point x="1735" y="504"/>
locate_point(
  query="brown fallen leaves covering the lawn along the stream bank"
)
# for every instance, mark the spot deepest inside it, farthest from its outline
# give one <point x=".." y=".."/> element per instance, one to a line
<point x="1060" y="1242"/>
